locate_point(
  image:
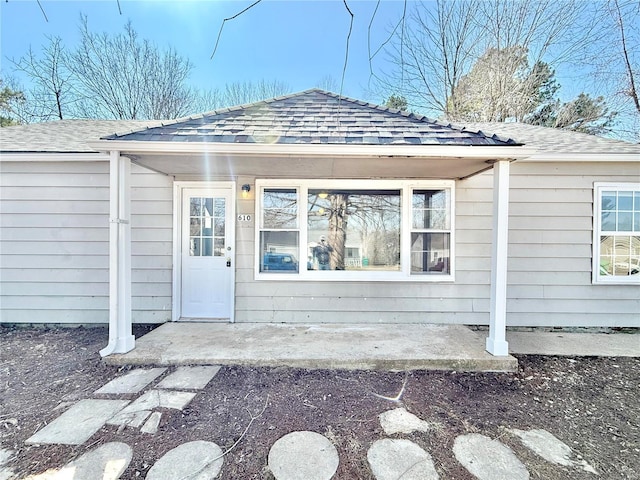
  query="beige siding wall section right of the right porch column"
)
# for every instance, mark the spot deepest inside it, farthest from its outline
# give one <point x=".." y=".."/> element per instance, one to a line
<point x="550" y="248"/>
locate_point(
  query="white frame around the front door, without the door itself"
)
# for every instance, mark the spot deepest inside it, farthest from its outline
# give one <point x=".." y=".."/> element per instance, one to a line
<point x="178" y="189"/>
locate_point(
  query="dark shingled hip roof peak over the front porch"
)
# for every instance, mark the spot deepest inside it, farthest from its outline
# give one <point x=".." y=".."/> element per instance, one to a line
<point x="312" y="117"/>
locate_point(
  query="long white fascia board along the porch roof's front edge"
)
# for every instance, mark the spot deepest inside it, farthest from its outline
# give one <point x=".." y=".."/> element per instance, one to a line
<point x="331" y="150"/>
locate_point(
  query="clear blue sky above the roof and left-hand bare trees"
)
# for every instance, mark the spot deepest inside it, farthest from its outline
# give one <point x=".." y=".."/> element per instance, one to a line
<point x="297" y="42"/>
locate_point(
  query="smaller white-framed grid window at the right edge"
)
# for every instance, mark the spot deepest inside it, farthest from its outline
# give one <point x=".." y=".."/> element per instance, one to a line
<point x="617" y="233"/>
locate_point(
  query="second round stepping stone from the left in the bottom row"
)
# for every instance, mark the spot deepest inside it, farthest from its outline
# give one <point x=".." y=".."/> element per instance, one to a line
<point x="197" y="460"/>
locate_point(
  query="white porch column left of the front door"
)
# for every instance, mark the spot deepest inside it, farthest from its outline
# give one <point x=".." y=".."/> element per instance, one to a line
<point x="121" y="340"/>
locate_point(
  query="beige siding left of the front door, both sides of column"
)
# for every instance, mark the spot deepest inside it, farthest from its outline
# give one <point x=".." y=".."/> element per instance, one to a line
<point x="54" y="243"/>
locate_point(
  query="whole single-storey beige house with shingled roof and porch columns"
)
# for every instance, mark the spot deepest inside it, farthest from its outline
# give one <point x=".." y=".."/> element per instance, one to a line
<point x="483" y="224"/>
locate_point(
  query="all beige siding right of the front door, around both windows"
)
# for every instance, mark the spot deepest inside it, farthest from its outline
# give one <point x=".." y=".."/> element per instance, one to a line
<point x="549" y="263"/>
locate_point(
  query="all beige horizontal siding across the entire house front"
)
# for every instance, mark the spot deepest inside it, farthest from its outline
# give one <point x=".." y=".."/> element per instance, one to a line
<point x="54" y="220"/>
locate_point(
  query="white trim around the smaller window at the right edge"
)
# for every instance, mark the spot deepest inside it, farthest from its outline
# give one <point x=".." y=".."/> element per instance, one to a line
<point x="596" y="277"/>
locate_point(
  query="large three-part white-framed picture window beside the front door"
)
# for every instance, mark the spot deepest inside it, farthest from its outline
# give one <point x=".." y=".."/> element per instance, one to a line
<point x="355" y="230"/>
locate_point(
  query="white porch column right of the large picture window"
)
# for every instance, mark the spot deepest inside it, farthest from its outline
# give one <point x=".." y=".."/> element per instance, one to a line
<point x="496" y="341"/>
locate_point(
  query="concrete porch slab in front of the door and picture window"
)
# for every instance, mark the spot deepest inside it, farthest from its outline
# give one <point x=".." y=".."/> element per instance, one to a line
<point x="332" y="346"/>
